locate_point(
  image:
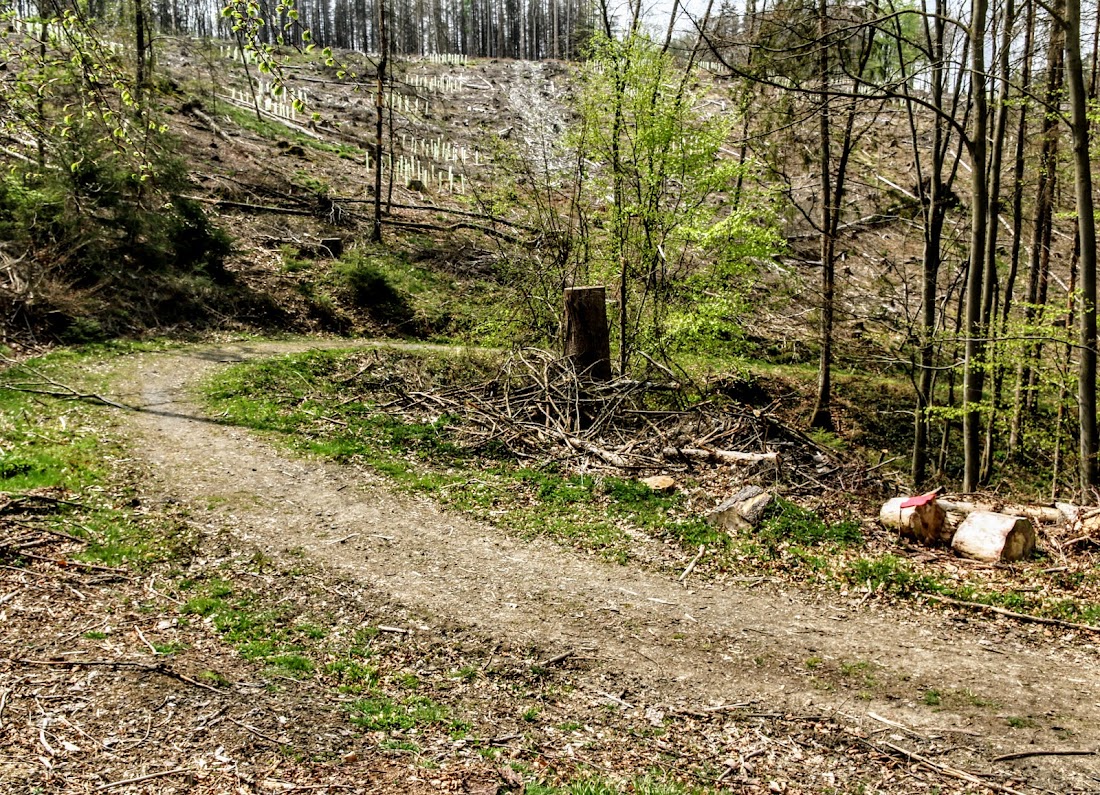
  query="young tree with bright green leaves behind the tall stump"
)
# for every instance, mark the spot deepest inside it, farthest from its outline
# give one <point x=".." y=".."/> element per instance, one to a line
<point x="651" y="193"/>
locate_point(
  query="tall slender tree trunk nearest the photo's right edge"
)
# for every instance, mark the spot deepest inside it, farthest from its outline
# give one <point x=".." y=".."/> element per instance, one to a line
<point x="1087" y="238"/>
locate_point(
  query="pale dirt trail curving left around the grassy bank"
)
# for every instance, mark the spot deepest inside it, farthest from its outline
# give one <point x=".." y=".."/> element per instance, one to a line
<point x="1005" y="689"/>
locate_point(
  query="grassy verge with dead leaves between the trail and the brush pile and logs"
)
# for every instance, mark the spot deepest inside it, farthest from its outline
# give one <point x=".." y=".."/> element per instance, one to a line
<point x="311" y="403"/>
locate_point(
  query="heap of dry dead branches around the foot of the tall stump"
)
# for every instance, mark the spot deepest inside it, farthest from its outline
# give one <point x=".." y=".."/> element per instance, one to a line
<point x="535" y="407"/>
